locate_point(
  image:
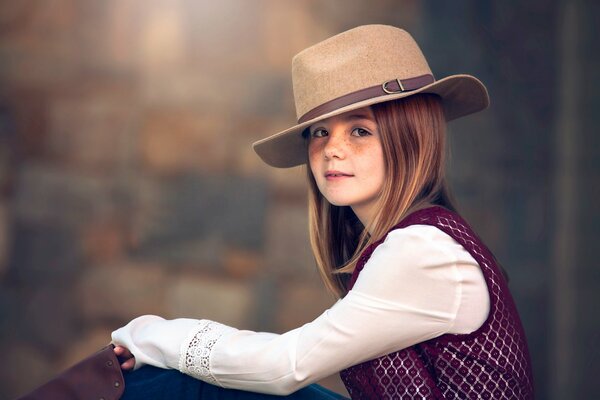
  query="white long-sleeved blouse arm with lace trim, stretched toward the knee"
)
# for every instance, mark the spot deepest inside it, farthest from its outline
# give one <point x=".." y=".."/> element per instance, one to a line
<point x="417" y="285"/>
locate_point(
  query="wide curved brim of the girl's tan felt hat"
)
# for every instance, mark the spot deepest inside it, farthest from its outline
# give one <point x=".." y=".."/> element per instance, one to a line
<point x="461" y="95"/>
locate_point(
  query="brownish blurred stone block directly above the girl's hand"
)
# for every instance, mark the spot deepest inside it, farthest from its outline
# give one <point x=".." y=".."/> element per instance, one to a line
<point x="121" y="292"/>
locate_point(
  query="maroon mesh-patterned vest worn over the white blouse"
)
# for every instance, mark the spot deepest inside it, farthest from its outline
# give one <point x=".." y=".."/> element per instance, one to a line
<point x="490" y="363"/>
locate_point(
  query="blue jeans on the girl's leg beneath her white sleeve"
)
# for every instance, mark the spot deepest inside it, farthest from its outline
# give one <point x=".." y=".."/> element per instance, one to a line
<point x="150" y="383"/>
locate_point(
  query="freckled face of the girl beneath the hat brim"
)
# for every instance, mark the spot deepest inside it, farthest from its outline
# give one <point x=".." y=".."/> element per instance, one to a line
<point x="346" y="159"/>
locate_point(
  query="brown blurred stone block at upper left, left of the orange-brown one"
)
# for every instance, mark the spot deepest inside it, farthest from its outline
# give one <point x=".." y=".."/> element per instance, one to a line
<point x="93" y="126"/>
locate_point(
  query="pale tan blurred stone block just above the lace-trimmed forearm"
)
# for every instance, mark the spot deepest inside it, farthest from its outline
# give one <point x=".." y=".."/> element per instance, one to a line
<point x="196" y="296"/>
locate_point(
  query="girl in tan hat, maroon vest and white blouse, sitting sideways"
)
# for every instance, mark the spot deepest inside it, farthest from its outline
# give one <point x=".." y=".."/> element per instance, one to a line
<point x="424" y="310"/>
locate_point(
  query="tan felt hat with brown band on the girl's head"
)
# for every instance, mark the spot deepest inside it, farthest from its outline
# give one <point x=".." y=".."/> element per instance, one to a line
<point x="363" y="66"/>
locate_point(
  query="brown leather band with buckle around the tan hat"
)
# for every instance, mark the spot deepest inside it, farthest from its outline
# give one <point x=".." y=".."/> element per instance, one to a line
<point x="390" y="87"/>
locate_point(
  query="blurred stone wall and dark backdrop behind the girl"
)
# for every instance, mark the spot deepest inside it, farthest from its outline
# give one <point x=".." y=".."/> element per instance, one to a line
<point x="128" y="185"/>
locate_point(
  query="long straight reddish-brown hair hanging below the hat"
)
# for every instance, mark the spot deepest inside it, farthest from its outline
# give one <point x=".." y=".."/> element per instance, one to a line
<point x="413" y="138"/>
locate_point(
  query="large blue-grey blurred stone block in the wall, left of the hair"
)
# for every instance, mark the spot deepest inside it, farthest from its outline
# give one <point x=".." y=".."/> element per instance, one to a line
<point x="192" y="219"/>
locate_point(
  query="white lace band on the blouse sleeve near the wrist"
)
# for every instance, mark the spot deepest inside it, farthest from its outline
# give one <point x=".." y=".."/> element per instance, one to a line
<point x="194" y="356"/>
